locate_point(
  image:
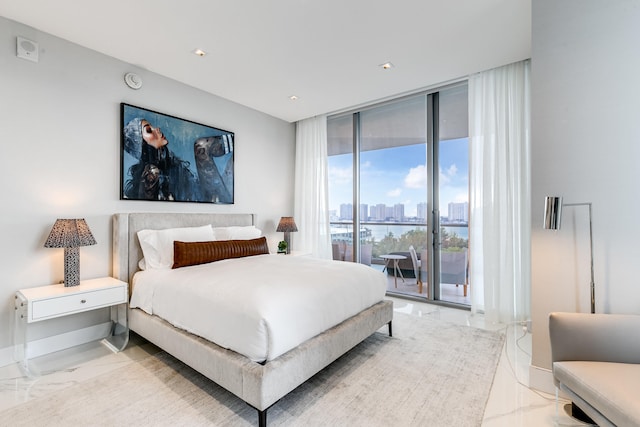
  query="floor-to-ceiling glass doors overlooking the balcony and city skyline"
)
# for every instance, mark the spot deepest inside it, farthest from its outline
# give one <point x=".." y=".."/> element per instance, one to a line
<point x="398" y="191"/>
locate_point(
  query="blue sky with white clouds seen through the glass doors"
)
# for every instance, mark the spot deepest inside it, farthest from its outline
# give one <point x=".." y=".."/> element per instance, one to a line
<point x="398" y="175"/>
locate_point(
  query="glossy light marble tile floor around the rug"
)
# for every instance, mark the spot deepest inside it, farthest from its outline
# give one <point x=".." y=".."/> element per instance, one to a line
<point x="511" y="403"/>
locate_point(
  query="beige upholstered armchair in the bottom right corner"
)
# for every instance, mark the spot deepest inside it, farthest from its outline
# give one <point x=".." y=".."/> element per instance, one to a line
<point x="596" y="362"/>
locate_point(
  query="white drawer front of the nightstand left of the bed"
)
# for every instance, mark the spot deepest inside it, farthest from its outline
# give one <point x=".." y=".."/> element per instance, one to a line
<point x="77" y="302"/>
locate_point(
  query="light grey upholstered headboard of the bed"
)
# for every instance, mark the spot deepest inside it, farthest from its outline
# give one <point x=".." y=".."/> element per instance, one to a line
<point x="126" y="247"/>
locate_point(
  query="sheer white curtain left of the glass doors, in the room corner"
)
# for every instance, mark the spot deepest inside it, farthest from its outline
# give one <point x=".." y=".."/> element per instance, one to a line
<point x="311" y="188"/>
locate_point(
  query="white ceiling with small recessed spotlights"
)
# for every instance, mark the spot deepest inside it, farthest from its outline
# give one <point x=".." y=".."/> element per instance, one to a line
<point x="326" y="52"/>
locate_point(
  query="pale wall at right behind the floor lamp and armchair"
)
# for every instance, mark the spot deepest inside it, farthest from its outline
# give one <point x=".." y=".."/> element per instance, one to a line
<point x="585" y="147"/>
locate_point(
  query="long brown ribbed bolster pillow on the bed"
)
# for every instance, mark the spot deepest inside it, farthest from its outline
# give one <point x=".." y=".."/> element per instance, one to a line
<point x="193" y="253"/>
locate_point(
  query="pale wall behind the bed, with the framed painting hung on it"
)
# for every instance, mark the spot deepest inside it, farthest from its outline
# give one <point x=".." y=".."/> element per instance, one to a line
<point x="59" y="133"/>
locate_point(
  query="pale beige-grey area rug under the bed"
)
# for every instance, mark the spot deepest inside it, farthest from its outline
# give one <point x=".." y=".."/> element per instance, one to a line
<point x="430" y="373"/>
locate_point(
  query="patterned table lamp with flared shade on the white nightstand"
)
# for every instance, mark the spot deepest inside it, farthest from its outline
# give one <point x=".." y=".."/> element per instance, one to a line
<point x="70" y="234"/>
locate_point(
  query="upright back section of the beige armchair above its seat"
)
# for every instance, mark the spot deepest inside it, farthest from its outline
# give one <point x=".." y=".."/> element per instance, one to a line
<point x="595" y="337"/>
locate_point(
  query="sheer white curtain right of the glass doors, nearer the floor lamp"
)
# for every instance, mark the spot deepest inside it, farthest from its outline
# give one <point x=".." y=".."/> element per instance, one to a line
<point x="500" y="181"/>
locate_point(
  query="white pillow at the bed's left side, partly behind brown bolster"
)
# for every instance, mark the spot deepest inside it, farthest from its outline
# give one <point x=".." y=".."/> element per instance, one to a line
<point x="157" y="245"/>
